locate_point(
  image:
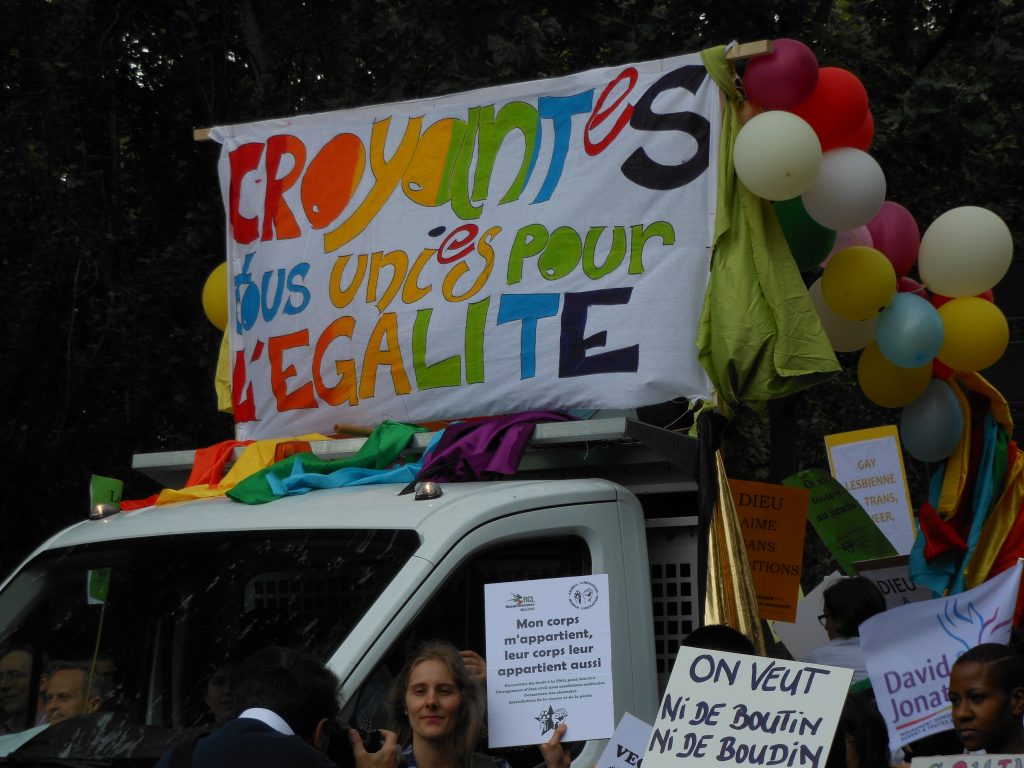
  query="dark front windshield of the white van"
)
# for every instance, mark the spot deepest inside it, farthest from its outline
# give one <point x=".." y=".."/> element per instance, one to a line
<point x="154" y="627"/>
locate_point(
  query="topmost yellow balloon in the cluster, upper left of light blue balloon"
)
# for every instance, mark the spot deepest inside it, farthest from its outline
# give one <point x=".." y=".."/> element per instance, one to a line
<point x="859" y="283"/>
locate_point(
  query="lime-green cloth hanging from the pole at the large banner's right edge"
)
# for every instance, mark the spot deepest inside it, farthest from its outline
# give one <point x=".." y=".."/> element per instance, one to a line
<point x="760" y="336"/>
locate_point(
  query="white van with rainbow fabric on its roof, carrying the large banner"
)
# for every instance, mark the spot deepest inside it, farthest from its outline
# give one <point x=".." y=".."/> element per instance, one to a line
<point x="357" y="574"/>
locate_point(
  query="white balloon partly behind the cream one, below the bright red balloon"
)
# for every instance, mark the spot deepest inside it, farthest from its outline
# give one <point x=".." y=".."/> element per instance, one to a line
<point x="848" y="192"/>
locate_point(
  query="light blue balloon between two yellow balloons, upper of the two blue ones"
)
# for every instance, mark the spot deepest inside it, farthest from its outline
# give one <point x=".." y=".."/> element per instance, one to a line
<point x="910" y="331"/>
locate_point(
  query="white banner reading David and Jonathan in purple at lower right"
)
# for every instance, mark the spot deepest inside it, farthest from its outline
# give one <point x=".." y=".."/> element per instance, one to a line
<point x="909" y="652"/>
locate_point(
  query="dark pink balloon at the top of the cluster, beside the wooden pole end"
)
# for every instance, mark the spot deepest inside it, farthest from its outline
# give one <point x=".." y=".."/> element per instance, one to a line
<point x="783" y="79"/>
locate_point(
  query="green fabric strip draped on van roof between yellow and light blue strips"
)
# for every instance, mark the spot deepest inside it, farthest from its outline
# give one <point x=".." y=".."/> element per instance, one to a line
<point x="382" y="449"/>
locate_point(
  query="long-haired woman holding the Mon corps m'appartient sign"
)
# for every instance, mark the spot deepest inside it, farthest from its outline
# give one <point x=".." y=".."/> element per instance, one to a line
<point x="437" y="706"/>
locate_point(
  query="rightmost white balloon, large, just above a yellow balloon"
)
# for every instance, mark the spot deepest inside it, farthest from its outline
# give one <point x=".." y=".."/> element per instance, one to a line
<point x="965" y="252"/>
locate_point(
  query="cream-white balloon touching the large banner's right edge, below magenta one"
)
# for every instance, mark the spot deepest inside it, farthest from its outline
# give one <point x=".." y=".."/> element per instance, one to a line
<point x="777" y="155"/>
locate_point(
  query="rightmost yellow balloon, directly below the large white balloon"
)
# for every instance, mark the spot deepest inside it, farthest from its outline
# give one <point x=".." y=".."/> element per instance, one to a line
<point x="976" y="334"/>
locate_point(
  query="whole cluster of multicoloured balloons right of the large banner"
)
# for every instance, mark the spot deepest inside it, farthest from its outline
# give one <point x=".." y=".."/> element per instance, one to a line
<point x="807" y="152"/>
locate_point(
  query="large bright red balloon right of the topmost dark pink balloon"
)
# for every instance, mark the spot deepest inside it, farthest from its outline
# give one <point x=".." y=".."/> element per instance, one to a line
<point x="837" y="109"/>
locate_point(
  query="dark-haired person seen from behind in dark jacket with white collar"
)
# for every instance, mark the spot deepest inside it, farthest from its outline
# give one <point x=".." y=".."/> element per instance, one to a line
<point x="286" y="699"/>
